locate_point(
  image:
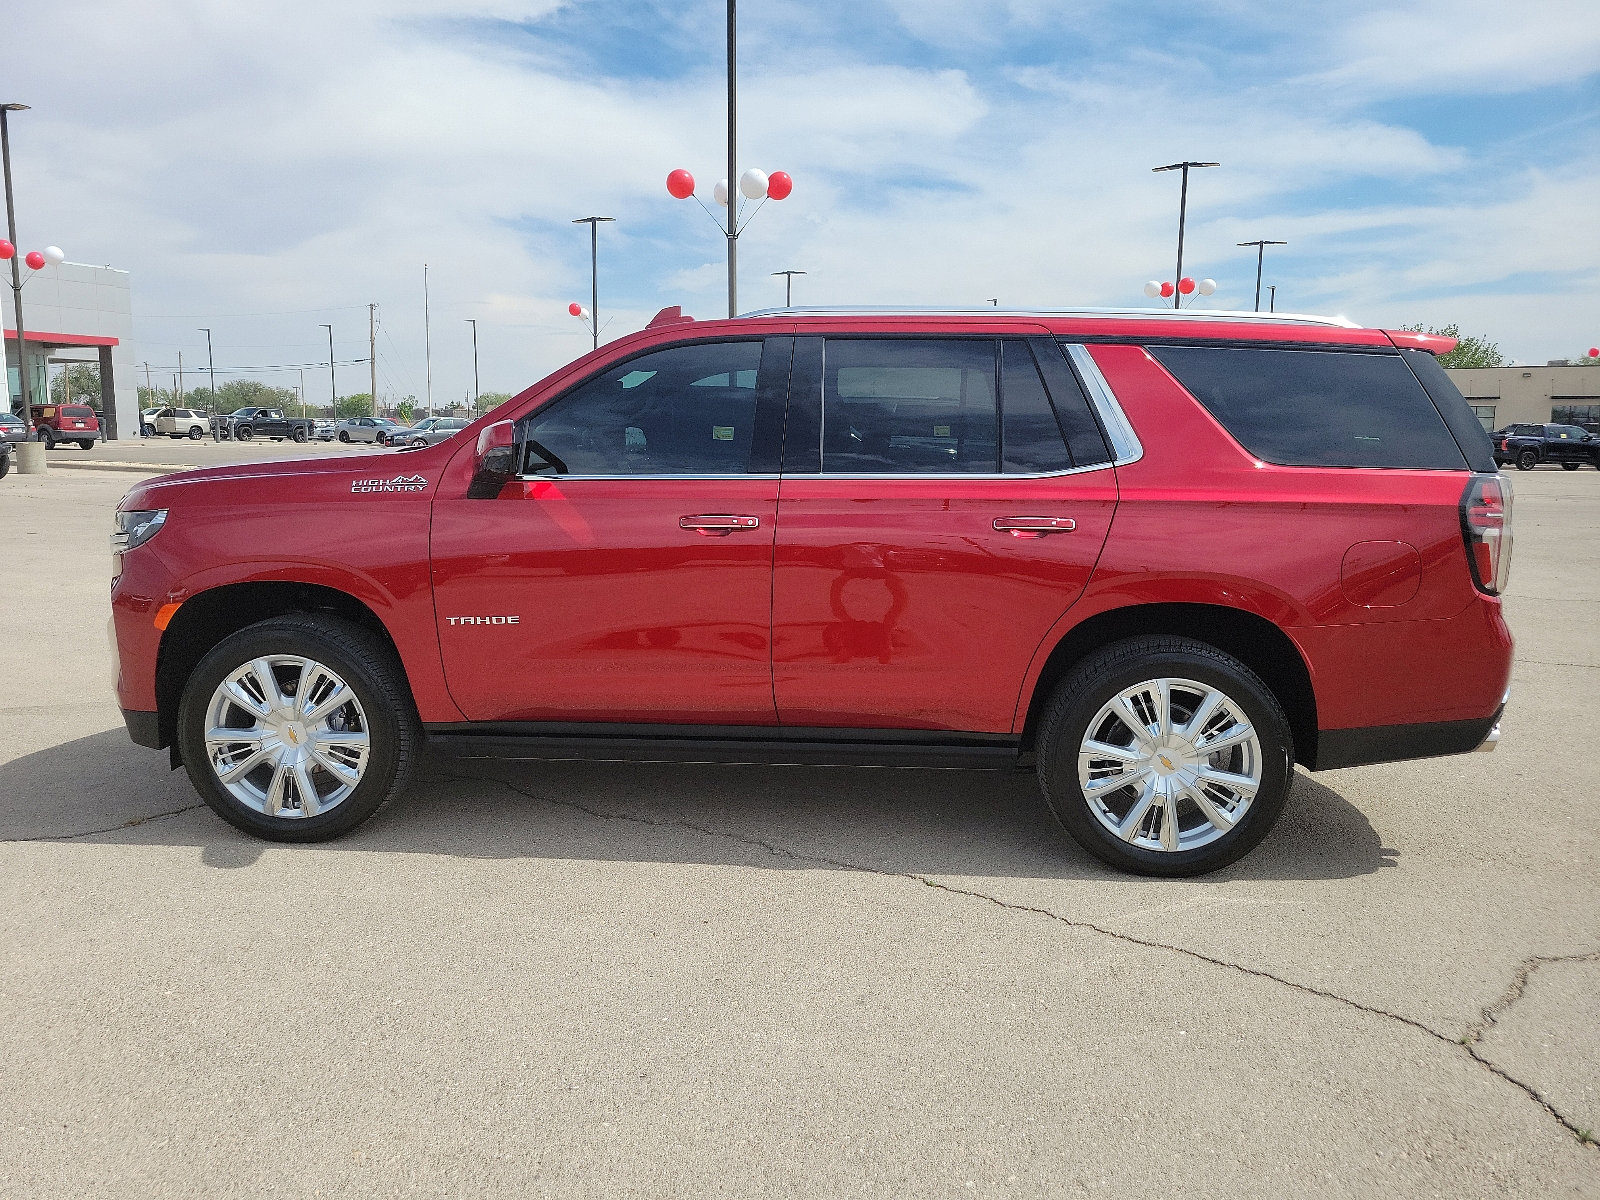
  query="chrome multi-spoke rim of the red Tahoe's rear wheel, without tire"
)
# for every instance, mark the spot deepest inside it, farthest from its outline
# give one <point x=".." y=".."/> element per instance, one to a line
<point x="1170" y="766"/>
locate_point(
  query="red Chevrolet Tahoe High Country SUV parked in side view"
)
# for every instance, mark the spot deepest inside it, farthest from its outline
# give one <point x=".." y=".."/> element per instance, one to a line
<point x="1161" y="559"/>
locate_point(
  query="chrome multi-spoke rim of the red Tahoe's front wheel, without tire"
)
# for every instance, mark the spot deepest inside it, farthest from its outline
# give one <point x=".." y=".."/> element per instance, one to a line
<point x="287" y="737"/>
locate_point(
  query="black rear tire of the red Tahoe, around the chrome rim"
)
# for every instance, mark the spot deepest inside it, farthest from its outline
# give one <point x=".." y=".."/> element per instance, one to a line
<point x="1095" y="682"/>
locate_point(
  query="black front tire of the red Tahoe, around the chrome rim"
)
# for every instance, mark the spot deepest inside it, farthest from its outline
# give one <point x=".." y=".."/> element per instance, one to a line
<point x="374" y="674"/>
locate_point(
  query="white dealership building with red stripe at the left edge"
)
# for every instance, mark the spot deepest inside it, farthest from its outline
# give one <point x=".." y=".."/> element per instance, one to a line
<point x="76" y="314"/>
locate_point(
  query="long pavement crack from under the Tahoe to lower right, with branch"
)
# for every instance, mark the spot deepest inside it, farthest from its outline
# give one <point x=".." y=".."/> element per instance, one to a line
<point x="1583" y="1137"/>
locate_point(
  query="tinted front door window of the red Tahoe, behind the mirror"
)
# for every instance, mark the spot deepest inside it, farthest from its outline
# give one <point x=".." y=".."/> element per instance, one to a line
<point x="687" y="410"/>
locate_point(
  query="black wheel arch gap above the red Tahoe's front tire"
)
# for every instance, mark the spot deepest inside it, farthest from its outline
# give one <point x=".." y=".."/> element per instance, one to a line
<point x="209" y="617"/>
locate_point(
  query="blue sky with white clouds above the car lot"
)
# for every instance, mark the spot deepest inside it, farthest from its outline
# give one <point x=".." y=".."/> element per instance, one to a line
<point x="263" y="169"/>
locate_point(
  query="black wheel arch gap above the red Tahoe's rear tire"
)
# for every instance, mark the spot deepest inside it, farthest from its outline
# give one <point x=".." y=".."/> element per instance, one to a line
<point x="1252" y="639"/>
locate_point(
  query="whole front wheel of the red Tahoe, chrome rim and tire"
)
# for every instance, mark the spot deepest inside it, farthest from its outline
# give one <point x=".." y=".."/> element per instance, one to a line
<point x="298" y="729"/>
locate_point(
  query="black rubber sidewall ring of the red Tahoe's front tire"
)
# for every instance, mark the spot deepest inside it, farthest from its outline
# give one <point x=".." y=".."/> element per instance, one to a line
<point x="303" y="639"/>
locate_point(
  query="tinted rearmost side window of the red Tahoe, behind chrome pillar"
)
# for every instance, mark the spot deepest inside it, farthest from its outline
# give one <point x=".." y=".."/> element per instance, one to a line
<point x="1318" y="409"/>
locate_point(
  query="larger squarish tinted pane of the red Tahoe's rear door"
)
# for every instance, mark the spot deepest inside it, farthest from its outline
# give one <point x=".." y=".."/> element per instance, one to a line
<point x="900" y="407"/>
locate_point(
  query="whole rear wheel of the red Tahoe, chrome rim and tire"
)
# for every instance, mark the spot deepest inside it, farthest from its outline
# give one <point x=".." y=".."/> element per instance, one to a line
<point x="1164" y="756"/>
